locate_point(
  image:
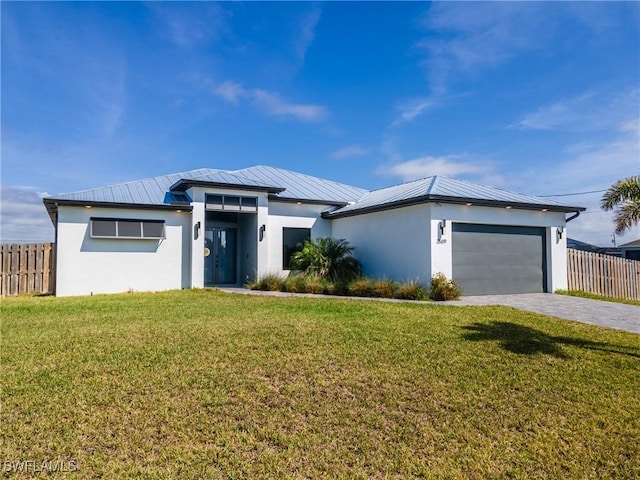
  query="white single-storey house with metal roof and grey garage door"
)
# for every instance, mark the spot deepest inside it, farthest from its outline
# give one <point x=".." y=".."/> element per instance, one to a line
<point x="211" y="227"/>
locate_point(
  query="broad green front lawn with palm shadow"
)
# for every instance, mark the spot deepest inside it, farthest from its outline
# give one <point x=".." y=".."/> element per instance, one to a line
<point x="201" y="384"/>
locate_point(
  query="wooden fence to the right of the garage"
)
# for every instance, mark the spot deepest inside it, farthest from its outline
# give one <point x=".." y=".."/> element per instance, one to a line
<point x="603" y="274"/>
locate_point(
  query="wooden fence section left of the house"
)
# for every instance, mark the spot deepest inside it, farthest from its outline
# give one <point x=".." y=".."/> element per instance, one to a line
<point x="27" y="268"/>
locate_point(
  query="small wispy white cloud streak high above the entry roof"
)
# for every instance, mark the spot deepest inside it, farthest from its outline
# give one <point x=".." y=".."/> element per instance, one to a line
<point x="270" y="103"/>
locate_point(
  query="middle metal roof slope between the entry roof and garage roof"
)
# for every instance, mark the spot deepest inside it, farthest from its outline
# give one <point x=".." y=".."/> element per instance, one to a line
<point x="299" y="186"/>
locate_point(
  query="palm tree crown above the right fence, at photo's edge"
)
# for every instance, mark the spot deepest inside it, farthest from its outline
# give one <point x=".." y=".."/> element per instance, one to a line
<point x="624" y="196"/>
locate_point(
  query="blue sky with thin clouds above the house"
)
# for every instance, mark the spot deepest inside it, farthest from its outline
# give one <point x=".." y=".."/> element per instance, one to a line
<point x="539" y="98"/>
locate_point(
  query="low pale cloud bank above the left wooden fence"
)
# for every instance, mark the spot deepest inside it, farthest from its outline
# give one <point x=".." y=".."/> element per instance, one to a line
<point x="23" y="217"/>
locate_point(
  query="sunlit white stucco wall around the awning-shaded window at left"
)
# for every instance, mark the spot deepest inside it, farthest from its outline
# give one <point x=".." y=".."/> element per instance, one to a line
<point x="88" y="265"/>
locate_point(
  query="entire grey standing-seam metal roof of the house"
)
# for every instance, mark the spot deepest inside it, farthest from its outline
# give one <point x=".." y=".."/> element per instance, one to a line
<point x="168" y="190"/>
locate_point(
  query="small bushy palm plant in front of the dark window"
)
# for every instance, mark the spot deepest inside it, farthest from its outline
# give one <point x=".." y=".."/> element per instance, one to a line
<point x="328" y="258"/>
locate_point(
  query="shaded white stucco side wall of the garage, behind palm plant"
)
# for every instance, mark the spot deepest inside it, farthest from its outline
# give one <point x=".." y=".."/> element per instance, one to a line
<point x="391" y="244"/>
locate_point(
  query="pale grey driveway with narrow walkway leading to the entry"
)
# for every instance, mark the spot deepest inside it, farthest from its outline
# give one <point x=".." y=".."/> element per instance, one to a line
<point x="585" y="310"/>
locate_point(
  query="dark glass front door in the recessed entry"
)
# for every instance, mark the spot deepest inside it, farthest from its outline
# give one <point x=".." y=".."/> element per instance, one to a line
<point x="221" y="259"/>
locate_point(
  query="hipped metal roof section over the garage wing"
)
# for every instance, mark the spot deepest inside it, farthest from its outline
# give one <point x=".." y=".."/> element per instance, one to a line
<point x="446" y="190"/>
